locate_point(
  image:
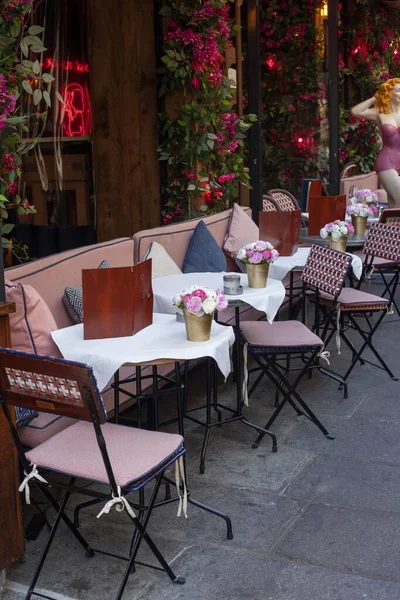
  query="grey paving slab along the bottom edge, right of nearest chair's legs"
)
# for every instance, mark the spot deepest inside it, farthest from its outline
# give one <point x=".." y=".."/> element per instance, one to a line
<point x="226" y="575"/>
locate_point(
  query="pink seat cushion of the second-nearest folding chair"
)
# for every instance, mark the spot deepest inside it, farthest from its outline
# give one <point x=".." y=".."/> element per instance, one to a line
<point x="279" y="334"/>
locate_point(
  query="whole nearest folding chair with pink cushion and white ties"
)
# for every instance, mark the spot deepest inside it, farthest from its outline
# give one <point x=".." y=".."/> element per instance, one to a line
<point x="123" y="458"/>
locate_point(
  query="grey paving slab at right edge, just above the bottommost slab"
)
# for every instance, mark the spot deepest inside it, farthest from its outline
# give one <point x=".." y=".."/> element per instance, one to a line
<point x="353" y="541"/>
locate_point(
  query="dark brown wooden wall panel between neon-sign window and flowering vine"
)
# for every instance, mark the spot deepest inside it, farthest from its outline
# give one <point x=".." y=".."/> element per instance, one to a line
<point x="124" y="103"/>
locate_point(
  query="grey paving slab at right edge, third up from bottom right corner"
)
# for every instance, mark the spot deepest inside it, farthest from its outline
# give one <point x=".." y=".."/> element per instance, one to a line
<point x="355" y="483"/>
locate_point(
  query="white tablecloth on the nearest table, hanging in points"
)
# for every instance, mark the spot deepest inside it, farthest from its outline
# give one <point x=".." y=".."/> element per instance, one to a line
<point x="165" y="338"/>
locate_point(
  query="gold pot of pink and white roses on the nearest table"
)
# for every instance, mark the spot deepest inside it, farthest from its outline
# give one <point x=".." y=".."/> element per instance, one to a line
<point x="198" y="304"/>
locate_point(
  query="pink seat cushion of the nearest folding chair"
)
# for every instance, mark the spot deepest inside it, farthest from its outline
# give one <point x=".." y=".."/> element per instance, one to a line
<point x="136" y="455"/>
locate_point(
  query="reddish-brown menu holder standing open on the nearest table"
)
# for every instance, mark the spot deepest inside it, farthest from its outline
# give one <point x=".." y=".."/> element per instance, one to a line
<point x="117" y="302"/>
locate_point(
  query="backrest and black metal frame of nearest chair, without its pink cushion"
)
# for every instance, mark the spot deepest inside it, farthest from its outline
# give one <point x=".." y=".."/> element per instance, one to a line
<point x="89" y="408"/>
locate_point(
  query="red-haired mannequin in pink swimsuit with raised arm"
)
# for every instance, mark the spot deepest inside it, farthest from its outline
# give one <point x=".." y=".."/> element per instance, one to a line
<point x="384" y="110"/>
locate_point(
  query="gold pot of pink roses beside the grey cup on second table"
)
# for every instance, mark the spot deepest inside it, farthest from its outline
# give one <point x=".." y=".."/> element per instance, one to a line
<point x="257" y="256"/>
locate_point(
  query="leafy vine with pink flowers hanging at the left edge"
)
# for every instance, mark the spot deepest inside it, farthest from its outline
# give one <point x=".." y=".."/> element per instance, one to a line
<point x="22" y="82"/>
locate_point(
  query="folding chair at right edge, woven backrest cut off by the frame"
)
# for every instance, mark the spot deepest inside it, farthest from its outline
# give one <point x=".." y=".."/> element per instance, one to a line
<point x="341" y="309"/>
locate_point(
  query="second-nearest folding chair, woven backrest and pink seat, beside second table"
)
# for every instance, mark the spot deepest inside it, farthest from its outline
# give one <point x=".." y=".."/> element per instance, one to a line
<point x="267" y="342"/>
